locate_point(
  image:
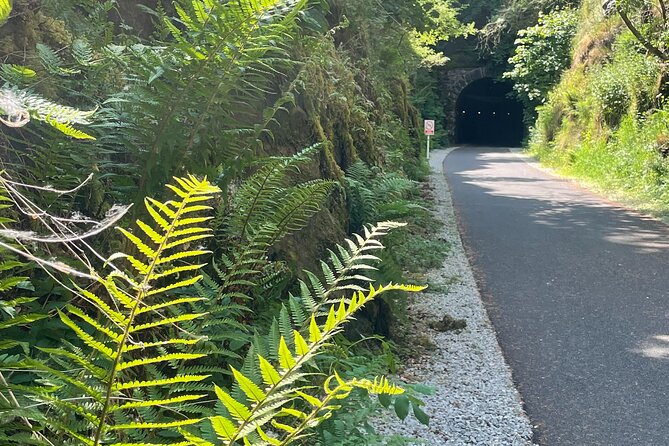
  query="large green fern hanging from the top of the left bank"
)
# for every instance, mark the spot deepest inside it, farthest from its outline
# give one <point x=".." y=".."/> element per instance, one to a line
<point x="213" y="74"/>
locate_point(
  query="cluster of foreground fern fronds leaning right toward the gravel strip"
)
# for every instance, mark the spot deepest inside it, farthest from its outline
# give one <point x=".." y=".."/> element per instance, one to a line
<point x="269" y="384"/>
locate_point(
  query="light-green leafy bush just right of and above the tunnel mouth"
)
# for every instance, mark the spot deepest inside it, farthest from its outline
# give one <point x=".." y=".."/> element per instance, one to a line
<point x="542" y="53"/>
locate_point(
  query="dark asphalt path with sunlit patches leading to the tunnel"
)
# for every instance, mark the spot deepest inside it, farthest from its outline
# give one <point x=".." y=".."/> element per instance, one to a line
<point x="578" y="291"/>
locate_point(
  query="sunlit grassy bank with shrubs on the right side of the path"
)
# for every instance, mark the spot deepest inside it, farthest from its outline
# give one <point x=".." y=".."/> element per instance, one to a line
<point x="605" y="118"/>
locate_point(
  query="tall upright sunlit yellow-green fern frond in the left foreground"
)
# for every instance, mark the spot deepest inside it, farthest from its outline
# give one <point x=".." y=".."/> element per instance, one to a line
<point x="129" y="334"/>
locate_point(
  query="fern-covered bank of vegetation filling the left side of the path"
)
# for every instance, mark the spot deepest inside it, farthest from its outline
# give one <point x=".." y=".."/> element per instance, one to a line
<point x="171" y="175"/>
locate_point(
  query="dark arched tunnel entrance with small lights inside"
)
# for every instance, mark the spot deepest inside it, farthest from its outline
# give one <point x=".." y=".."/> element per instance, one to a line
<point x="486" y="115"/>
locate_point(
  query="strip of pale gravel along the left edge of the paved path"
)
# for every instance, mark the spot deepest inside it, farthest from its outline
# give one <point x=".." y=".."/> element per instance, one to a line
<point x="475" y="401"/>
